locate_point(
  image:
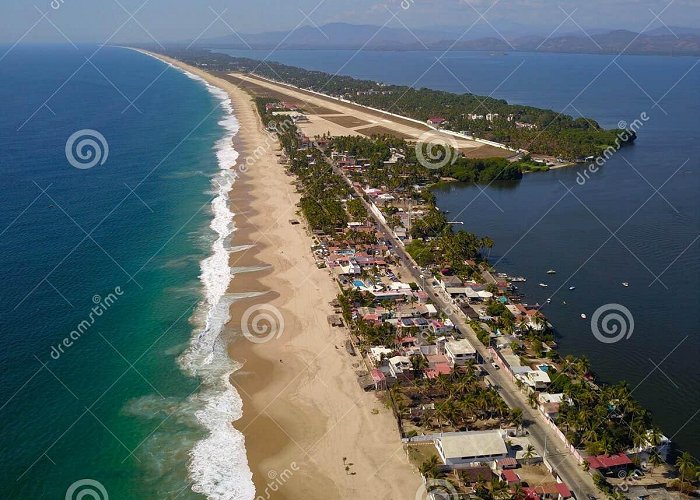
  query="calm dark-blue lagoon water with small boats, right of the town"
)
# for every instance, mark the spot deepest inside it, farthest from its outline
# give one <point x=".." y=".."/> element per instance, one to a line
<point x="634" y="220"/>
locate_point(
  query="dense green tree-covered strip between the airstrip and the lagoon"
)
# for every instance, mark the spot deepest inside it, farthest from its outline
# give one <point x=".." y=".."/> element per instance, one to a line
<point x="552" y="133"/>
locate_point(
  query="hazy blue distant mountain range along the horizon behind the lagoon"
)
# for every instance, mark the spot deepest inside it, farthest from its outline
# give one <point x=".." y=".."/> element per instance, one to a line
<point x="660" y="41"/>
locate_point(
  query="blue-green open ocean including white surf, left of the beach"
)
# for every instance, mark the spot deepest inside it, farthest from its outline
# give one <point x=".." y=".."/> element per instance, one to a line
<point x="115" y="269"/>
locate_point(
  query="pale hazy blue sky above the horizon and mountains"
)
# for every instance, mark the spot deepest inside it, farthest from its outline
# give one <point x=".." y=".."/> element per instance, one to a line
<point x="122" y="21"/>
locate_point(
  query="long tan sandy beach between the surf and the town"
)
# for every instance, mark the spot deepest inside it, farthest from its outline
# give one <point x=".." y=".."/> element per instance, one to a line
<point x="310" y="430"/>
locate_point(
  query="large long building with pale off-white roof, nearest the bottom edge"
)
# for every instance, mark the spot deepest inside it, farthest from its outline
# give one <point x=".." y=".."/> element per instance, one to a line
<point x="460" y="448"/>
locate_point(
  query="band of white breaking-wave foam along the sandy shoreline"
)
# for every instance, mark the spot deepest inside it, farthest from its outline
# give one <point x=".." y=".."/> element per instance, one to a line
<point x="218" y="466"/>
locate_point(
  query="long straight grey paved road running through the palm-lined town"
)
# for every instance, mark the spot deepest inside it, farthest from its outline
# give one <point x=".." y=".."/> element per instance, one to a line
<point x="544" y="437"/>
